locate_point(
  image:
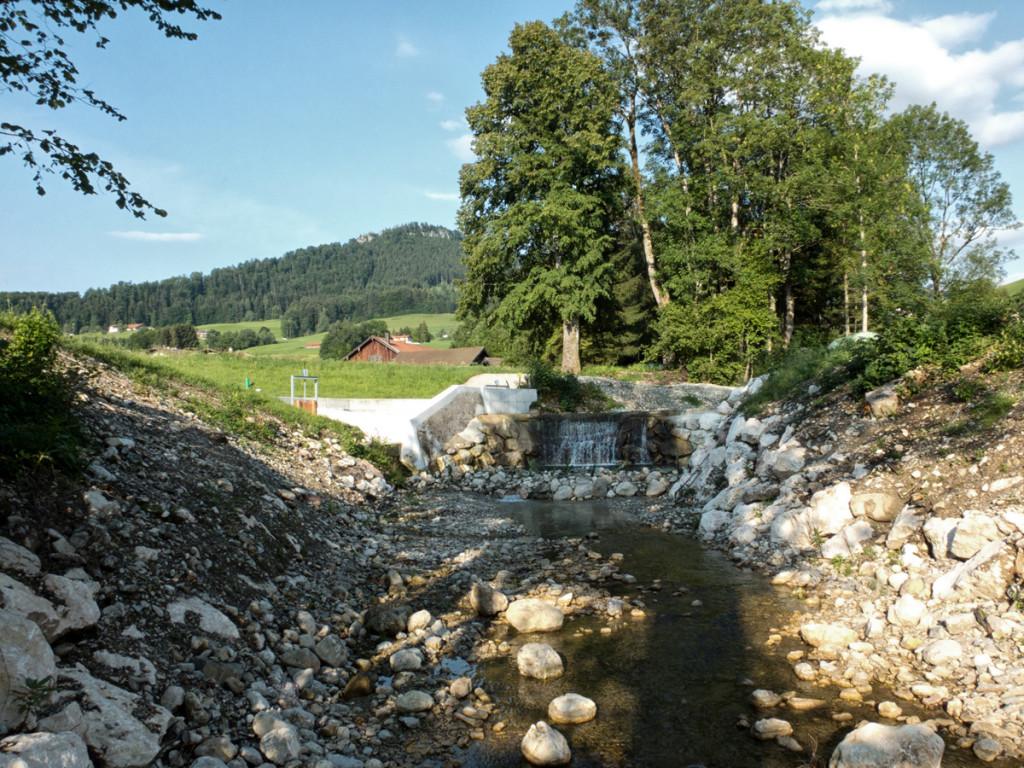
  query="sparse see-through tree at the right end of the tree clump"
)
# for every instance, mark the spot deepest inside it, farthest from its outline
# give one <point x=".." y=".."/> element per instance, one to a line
<point x="964" y="195"/>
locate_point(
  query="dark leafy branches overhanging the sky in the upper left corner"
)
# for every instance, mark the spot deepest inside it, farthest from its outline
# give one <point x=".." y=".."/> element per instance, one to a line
<point x="34" y="61"/>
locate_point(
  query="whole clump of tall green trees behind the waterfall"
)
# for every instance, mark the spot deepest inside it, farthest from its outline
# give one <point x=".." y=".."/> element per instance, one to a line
<point x="702" y="184"/>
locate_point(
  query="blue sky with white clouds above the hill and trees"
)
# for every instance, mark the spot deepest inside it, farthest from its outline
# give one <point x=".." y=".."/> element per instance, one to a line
<point x="289" y="125"/>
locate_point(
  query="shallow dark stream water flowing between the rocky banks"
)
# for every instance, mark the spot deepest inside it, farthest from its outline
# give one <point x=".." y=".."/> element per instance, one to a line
<point x="670" y="686"/>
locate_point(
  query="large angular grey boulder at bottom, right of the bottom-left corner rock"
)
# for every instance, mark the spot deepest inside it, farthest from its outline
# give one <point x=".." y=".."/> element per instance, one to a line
<point x="109" y="726"/>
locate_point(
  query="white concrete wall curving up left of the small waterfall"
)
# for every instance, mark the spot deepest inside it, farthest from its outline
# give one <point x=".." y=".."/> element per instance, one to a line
<point x="423" y="426"/>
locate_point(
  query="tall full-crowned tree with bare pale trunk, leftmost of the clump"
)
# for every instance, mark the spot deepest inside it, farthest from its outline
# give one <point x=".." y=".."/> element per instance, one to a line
<point x="540" y="203"/>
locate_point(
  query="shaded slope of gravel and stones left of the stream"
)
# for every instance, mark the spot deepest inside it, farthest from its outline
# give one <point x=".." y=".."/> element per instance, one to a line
<point x="204" y="600"/>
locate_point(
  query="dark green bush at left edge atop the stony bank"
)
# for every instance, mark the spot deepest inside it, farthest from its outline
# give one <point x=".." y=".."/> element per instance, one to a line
<point x="38" y="425"/>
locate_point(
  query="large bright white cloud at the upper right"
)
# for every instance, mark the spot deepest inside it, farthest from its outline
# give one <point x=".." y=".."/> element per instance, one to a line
<point x="927" y="62"/>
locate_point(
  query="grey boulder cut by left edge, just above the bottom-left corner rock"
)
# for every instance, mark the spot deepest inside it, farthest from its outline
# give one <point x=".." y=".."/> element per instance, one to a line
<point x="27" y="656"/>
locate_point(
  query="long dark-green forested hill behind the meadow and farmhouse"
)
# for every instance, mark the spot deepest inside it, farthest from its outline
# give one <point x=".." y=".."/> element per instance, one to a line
<point x="409" y="269"/>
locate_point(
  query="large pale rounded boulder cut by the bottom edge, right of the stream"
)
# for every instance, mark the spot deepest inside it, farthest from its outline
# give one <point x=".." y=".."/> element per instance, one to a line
<point x="875" y="746"/>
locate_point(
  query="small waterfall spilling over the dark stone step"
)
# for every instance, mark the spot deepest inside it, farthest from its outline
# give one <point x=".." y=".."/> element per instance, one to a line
<point x="593" y="441"/>
